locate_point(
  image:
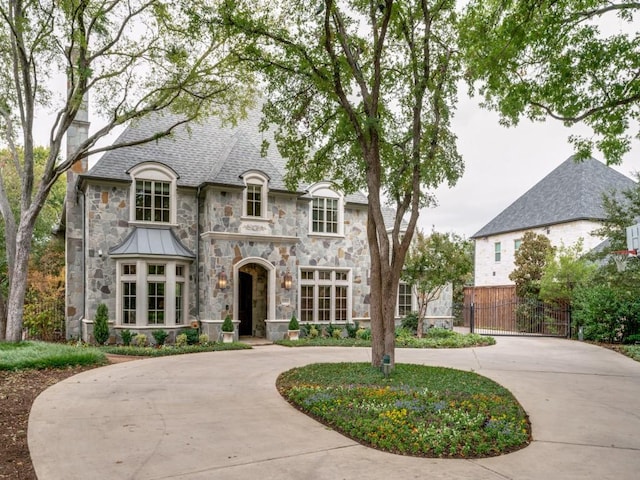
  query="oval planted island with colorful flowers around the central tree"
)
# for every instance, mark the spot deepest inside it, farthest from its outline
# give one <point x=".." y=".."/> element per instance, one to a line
<point x="418" y="410"/>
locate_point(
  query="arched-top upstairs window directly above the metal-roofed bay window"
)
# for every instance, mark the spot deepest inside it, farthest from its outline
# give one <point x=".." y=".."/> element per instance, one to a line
<point x="153" y="194"/>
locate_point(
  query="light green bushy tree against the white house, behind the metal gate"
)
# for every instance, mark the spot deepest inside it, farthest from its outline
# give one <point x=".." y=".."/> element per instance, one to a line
<point x="565" y="269"/>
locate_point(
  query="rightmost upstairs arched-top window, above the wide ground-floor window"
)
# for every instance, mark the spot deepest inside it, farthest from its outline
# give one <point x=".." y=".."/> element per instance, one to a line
<point x="326" y="211"/>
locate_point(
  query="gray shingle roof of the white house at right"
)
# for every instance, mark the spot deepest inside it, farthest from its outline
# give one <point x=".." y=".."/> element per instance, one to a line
<point x="573" y="191"/>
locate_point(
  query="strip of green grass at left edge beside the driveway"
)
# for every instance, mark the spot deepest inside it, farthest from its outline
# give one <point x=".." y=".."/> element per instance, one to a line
<point x="40" y="355"/>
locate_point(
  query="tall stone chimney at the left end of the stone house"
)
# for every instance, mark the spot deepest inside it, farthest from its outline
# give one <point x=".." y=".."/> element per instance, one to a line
<point x="74" y="227"/>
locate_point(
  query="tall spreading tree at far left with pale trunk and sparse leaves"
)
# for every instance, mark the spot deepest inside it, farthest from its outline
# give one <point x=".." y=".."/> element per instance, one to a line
<point x="137" y="57"/>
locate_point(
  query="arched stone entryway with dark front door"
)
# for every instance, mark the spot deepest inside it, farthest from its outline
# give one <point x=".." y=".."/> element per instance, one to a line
<point x="254" y="295"/>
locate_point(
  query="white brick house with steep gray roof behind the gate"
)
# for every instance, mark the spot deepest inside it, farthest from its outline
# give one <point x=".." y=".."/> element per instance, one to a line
<point x="565" y="206"/>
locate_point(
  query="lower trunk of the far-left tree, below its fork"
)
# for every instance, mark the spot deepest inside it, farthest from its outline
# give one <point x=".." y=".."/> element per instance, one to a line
<point x="18" y="282"/>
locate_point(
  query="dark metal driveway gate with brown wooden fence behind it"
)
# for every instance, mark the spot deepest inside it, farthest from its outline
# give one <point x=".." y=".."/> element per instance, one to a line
<point x="497" y="311"/>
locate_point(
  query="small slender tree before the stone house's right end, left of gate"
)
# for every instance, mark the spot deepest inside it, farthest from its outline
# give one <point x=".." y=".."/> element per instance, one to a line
<point x="433" y="262"/>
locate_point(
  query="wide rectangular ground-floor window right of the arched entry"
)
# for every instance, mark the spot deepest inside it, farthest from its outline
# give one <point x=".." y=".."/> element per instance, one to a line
<point x="325" y="295"/>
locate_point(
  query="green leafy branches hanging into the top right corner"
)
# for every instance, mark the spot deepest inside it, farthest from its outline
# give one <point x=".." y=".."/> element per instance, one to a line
<point x="559" y="59"/>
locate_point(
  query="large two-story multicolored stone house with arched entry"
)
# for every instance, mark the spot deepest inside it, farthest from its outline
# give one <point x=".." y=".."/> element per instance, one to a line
<point x="191" y="228"/>
